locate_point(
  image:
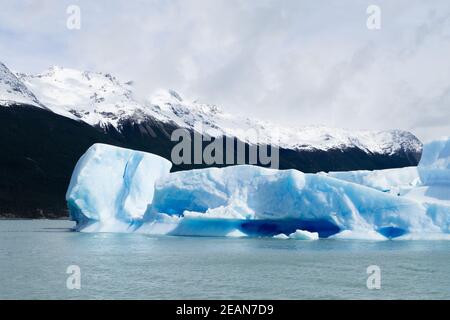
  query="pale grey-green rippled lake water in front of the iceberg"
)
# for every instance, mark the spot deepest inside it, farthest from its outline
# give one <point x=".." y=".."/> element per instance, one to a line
<point x="35" y="254"/>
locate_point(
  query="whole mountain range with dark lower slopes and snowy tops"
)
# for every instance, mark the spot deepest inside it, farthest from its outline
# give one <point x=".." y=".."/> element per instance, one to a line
<point x="48" y="120"/>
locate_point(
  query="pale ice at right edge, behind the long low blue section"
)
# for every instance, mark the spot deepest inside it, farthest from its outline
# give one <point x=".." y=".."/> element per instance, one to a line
<point x="428" y="184"/>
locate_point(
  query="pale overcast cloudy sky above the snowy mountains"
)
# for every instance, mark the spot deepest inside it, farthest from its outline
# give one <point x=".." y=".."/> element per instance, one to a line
<point x="293" y="62"/>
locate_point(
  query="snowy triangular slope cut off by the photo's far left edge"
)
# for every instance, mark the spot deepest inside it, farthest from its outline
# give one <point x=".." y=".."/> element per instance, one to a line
<point x="12" y="90"/>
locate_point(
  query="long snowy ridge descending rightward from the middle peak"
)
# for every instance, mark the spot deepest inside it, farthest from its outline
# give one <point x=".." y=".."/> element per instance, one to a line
<point x="215" y="122"/>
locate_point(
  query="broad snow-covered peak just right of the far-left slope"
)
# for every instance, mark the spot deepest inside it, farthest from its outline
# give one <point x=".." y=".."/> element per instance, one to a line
<point x="95" y="98"/>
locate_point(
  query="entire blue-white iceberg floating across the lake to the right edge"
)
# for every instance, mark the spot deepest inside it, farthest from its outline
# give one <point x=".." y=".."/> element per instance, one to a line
<point x="120" y="190"/>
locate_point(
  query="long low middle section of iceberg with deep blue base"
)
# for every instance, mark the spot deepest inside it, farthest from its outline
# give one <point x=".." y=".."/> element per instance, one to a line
<point x="278" y="201"/>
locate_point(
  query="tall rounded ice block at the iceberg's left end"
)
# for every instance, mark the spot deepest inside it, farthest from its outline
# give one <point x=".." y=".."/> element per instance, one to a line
<point x="113" y="186"/>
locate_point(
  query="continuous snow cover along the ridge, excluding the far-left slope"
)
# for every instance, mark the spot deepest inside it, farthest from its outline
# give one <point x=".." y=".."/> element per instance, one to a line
<point x="100" y="99"/>
